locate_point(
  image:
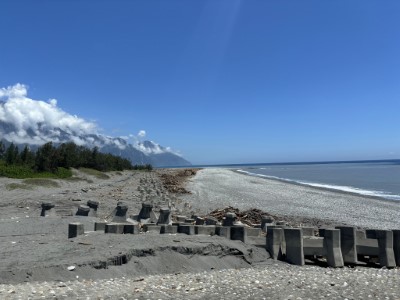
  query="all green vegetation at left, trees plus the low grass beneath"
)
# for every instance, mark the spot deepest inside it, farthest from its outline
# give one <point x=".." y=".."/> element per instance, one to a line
<point x="56" y="162"/>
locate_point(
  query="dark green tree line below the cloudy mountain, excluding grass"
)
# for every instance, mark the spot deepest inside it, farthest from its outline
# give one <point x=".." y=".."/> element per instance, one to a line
<point x="49" y="158"/>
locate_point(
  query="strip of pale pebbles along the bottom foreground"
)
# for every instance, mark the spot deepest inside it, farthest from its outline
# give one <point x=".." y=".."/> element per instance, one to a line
<point x="261" y="282"/>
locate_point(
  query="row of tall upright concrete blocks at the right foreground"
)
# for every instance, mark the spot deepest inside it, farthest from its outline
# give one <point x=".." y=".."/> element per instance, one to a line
<point x="342" y="245"/>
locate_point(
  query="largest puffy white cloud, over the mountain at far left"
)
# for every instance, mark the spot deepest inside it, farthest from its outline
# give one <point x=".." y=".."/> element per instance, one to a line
<point x="31" y="117"/>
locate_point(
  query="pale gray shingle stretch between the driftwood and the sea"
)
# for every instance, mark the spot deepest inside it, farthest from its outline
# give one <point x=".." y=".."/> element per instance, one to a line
<point x="216" y="188"/>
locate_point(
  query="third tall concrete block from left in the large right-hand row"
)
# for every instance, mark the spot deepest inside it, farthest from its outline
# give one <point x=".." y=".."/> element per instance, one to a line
<point x="332" y="247"/>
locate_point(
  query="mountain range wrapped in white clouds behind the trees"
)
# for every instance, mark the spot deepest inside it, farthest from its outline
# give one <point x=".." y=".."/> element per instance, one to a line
<point x="35" y="122"/>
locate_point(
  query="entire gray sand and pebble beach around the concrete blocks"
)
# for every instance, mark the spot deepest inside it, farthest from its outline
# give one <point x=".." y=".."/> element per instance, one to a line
<point x="35" y="252"/>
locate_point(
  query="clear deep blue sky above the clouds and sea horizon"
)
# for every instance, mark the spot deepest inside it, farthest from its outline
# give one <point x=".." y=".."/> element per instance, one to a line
<point x="221" y="81"/>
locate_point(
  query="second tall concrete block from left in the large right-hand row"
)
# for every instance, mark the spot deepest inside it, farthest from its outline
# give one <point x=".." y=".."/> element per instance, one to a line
<point x="294" y="246"/>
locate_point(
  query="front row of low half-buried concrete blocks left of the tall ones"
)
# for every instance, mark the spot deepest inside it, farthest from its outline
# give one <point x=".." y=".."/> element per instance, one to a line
<point x="234" y="233"/>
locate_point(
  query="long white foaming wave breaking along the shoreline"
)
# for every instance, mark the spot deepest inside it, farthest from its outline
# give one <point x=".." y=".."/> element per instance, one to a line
<point x="348" y="189"/>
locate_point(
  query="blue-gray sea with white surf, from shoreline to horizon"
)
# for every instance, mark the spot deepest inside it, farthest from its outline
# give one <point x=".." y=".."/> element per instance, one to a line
<point x="370" y="178"/>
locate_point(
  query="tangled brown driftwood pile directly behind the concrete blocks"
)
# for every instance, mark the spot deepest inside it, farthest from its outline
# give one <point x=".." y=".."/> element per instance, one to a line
<point x="249" y="217"/>
